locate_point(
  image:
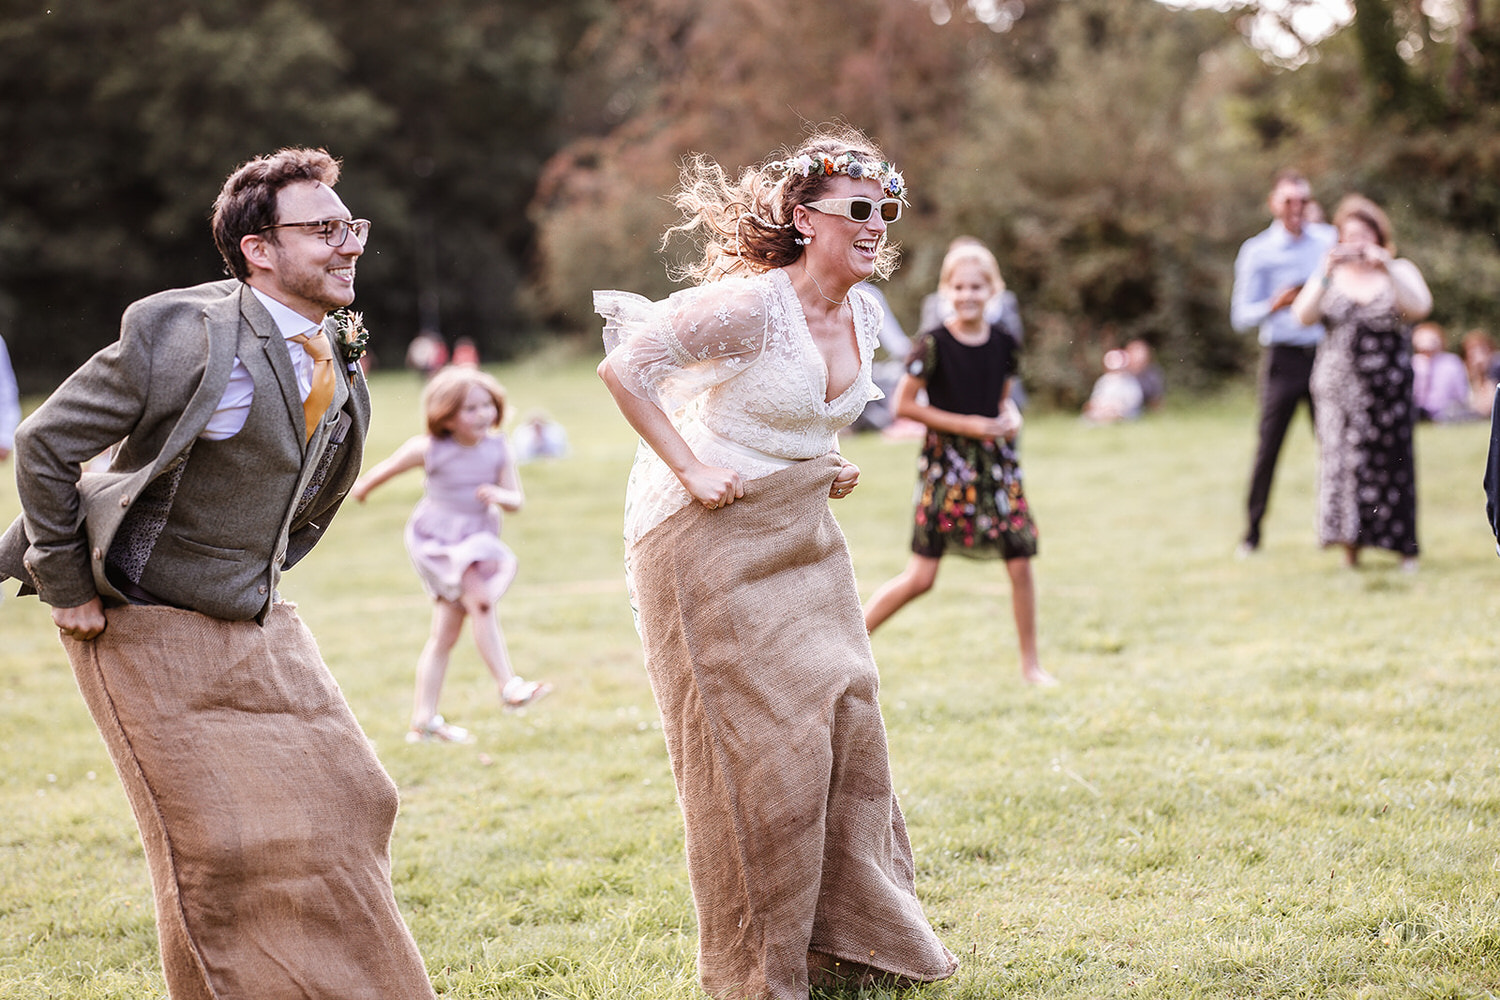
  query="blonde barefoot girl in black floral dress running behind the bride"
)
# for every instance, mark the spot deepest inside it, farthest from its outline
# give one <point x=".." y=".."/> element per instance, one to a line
<point x="970" y="493"/>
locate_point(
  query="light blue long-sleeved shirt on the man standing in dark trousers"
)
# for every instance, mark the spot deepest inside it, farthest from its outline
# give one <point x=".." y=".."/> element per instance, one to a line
<point x="1270" y="263"/>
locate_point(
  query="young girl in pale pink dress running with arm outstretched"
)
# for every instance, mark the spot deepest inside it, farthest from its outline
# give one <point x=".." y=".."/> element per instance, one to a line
<point x="454" y="536"/>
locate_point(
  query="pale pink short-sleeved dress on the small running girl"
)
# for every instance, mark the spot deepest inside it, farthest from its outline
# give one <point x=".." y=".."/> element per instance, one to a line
<point x="452" y="530"/>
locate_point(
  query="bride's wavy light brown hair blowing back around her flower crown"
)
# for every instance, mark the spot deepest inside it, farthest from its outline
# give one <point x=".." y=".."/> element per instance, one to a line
<point x="746" y="226"/>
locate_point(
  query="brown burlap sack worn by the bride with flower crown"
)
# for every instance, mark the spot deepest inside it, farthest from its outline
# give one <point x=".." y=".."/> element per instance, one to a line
<point x="761" y="666"/>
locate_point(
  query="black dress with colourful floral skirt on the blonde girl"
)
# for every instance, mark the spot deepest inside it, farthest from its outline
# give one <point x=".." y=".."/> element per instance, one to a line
<point x="970" y="496"/>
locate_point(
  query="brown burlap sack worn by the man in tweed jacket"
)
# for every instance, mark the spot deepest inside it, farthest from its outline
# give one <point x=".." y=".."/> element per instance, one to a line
<point x="265" y="813"/>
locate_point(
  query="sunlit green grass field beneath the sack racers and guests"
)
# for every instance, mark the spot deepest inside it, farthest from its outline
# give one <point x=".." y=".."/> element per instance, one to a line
<point x="1259" y="779"/>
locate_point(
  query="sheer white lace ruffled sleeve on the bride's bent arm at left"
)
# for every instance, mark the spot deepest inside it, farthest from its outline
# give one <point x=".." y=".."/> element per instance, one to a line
<point x="674" y="350"/>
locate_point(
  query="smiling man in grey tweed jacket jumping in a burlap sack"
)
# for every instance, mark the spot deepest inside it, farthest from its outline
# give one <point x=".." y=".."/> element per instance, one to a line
<point x="236" y="416"/>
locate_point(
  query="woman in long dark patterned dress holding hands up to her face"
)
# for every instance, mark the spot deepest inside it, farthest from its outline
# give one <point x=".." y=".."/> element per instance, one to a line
<point x="1367" y="299"/>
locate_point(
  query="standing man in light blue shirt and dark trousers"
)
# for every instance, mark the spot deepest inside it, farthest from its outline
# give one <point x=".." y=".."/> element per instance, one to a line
<point x="1268" y="275"/>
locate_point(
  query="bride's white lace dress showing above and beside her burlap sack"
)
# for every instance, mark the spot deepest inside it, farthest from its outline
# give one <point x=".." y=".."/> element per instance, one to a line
<point x="736" y="368"/>
